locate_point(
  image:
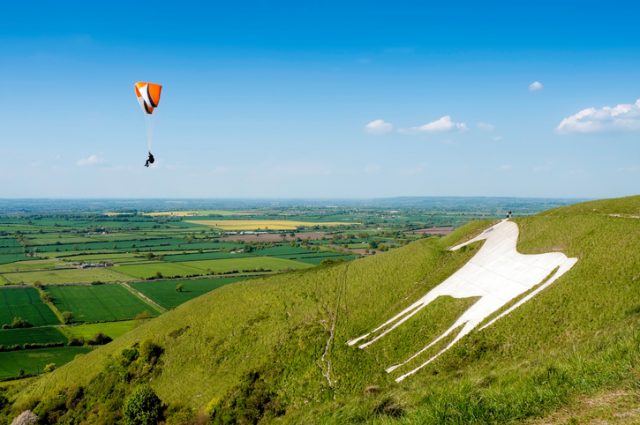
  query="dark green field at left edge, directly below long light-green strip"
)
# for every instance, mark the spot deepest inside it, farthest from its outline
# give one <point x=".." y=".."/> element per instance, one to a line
<point x="24" y="303"/>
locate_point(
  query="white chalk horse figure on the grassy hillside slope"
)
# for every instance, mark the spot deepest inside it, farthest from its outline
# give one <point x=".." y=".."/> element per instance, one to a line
<point x="497" y="273"/>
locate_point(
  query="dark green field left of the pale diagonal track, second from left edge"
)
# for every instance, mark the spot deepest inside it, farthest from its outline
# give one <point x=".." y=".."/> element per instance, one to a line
<point x="98" y="303"/>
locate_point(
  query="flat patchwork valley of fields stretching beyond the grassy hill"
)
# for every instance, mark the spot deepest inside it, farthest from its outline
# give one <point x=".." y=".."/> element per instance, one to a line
<point x="71" y="280"/>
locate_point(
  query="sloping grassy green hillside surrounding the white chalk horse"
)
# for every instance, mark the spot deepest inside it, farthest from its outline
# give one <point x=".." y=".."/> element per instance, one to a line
<point x="274" y="349"/>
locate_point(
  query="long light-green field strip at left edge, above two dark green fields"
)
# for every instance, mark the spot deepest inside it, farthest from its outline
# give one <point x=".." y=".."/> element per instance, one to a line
<point x="52" y="277"/>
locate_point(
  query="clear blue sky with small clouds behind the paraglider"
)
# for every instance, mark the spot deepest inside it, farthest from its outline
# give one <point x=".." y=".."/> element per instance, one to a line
<point x="325" y="99"/>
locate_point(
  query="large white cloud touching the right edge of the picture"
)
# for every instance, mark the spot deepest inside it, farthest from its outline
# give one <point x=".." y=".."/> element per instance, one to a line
<point x="622" y="117"/>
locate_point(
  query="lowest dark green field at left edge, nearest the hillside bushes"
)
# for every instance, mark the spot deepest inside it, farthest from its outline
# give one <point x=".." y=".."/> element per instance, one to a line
<point x="34" y="361"/>
